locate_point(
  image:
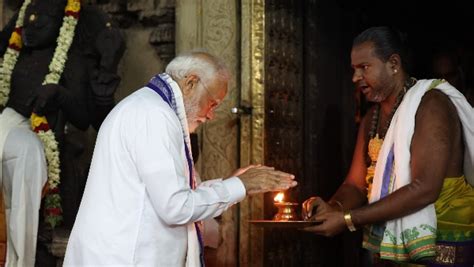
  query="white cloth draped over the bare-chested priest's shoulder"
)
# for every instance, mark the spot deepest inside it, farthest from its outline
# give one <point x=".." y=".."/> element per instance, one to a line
<point x="399" y="137"/>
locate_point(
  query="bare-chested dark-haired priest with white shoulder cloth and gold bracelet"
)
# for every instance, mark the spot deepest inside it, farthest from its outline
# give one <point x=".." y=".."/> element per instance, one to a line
<point x="413" y="162"/>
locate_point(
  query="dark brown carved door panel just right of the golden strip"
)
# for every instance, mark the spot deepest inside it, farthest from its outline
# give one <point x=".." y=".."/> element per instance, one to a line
<point x="284" y="125"/>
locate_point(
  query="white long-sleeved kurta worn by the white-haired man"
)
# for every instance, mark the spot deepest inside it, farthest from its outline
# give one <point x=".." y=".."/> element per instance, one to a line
<point x="137" y="201"/>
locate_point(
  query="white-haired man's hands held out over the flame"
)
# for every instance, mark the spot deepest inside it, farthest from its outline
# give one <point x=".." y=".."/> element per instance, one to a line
<point x="261" y="179"/>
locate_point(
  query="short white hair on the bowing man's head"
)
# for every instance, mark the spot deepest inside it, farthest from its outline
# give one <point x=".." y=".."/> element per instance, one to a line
<point x="203" y="64"/>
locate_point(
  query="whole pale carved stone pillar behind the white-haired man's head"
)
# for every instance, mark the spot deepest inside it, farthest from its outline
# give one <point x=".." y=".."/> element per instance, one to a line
<point x="214" y="26"/>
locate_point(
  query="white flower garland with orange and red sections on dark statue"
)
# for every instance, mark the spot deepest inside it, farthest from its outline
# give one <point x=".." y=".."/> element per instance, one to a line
<point x="39" y="124"/>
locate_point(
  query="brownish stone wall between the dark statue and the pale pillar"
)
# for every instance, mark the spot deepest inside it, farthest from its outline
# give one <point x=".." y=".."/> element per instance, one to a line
<point x="148" y="27"/>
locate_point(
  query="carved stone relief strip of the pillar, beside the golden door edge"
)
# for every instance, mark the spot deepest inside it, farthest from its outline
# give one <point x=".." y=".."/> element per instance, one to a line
<point x="219" y="137"/>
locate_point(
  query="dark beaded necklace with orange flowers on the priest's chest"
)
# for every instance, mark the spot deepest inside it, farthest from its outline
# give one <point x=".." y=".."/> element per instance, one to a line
<point x="376" y="140"/>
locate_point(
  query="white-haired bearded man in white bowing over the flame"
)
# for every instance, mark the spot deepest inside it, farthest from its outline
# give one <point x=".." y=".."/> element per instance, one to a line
<point x="141" y="205"/>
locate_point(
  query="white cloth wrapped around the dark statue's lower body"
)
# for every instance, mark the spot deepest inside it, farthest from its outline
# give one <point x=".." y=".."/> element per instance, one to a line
<point x="24" y="173"/>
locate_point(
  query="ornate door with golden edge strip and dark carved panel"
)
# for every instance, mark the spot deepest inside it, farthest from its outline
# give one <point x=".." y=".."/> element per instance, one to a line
<point x="272" y="83"/>
